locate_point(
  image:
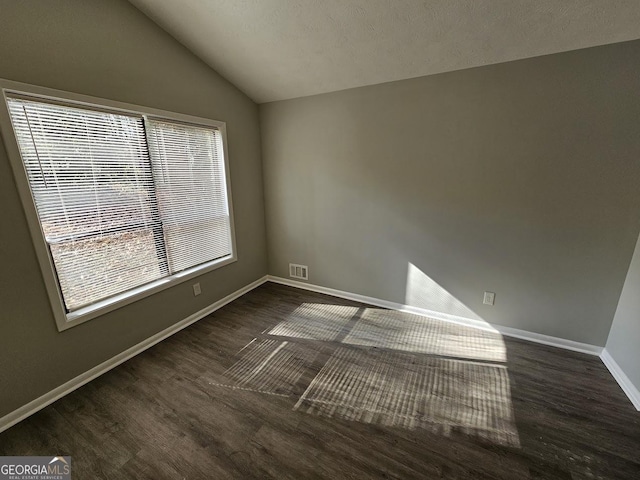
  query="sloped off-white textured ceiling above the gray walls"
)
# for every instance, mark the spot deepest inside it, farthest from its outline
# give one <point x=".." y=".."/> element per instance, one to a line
<point x="279" y="49"/>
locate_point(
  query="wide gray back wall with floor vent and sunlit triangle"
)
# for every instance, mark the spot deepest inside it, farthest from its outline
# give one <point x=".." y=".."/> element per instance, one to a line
<point x="519" y="178"/>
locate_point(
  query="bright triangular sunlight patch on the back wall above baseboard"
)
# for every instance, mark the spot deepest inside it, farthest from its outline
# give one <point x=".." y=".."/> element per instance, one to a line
<point x="423" y="292"/>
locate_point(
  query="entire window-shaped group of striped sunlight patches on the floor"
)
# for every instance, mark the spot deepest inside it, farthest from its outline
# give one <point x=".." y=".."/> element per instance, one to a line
<point x="384" y="367"/>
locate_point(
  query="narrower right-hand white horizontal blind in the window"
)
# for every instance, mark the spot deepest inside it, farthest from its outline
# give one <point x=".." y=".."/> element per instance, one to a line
<point x="190" y="183"/>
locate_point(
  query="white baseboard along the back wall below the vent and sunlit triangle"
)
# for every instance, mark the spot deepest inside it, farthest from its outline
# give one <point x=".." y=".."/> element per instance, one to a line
<point x="469" y="322"/>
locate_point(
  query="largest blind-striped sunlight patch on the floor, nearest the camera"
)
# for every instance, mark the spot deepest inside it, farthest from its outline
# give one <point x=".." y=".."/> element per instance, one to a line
<point x="409" y="391"/>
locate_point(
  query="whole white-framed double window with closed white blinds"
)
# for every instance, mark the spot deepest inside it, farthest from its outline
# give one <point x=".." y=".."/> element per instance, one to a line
<point x="126" y="202"/>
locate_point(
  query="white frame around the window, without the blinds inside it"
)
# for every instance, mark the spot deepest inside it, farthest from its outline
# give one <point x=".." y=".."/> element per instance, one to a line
<point x="65" y="320"/>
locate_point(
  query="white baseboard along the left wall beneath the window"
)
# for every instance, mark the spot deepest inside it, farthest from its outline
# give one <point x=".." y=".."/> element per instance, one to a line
<point x="39" y="403"/>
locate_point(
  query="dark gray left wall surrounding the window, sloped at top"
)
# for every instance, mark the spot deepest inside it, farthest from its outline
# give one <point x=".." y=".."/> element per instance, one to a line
<point x="111" y="50"/>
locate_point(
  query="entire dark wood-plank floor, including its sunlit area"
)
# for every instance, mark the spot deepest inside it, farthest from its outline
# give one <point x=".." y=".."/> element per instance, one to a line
<point x="284" y="383"/>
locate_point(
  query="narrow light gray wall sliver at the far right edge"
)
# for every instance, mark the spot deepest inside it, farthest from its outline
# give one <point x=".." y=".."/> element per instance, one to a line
<point x="624" y="339"/>
